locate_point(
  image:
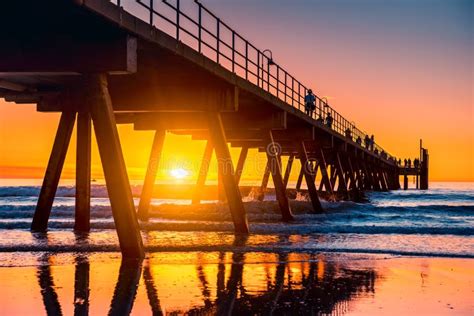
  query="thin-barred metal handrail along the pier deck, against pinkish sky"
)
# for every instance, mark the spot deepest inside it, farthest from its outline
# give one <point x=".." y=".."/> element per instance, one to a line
<point x="279" y="82"/>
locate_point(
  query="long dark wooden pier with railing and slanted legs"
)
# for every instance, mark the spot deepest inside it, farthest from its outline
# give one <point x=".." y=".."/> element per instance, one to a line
<point x="102" y="64"/>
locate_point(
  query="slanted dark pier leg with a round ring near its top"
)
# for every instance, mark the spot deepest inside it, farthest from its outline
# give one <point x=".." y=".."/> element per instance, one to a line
<point x="273" y="155"/>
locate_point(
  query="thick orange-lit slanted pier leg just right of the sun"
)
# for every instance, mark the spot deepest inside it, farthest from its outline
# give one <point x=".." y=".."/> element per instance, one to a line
<point x="224" y="161"/>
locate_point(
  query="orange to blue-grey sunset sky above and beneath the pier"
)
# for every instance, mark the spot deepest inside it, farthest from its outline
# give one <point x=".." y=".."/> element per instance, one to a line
<point x="401" y="71"/>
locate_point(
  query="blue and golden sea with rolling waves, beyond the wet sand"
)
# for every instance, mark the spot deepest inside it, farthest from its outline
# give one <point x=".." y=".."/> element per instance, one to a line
<point x="438" y="222"/>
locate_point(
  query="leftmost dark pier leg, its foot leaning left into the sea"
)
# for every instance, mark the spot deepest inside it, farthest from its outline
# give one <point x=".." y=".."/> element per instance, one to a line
<point x="53" y="172"/>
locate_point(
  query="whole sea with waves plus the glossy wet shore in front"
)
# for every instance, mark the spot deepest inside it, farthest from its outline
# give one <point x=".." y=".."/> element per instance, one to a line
<point x="404" y="252"/>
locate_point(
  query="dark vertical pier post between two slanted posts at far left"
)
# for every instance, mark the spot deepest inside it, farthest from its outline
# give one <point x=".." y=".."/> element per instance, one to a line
<point x="83" y="172"/>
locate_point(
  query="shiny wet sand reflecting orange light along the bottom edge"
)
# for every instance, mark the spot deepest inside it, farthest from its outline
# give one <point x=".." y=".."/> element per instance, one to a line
<point x="202" y="283"/>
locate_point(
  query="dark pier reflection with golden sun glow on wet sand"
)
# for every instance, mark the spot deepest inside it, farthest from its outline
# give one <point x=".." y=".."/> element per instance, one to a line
<point x="200" y="283"/>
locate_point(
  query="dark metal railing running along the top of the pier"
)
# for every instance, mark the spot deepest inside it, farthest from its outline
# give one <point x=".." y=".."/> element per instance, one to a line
<point x="196" y="26"/>
